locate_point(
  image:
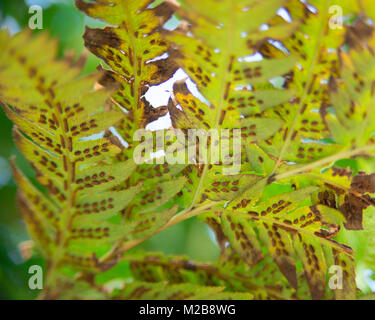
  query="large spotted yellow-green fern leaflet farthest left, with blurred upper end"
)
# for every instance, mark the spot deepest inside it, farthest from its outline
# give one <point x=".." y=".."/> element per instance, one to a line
<point x="56" y="115"/>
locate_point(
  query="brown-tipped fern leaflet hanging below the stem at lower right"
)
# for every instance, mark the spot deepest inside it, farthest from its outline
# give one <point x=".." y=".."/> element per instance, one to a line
<point x="290" y="230"/>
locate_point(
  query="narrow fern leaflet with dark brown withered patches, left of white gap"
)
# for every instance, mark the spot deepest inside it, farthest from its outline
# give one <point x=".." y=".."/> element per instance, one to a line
<point x="135" y="51"/>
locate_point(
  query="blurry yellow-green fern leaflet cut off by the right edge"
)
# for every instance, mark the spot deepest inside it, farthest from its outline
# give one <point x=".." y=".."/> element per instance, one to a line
<point x="352" y="95"/>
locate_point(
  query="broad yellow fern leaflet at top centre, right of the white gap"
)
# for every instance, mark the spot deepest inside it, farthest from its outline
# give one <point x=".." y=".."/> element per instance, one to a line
<point x="218" y="67"/>
